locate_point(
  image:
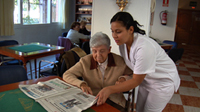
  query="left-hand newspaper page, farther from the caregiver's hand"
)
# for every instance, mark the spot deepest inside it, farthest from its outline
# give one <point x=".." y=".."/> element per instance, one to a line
<point x="47" y="88"/>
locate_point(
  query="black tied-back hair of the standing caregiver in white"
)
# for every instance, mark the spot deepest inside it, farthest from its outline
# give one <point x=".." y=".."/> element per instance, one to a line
<point x="127" y="20"/>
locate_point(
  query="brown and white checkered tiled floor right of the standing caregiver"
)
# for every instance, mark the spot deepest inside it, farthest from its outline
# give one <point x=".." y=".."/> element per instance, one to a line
<point x="187" y="99"/>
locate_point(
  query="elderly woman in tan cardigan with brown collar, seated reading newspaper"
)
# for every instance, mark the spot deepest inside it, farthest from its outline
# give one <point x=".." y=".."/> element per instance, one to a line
<point x="99" y="69"/>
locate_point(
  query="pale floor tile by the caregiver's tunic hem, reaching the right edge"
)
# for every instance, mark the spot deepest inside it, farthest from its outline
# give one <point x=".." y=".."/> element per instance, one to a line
<point x="189" y="91"/>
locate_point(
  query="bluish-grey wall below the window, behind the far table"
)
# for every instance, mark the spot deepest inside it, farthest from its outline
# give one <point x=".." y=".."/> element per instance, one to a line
<point x="45" y="33"/>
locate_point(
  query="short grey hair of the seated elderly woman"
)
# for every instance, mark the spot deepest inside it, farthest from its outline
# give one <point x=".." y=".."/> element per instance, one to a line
<point x="99" y="39"/>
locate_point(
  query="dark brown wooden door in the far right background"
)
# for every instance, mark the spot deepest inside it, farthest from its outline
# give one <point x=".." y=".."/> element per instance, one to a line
<point x="187" y="27"/>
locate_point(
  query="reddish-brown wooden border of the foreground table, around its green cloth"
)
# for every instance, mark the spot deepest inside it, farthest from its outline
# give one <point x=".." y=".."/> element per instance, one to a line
<point x="102" y="108"/>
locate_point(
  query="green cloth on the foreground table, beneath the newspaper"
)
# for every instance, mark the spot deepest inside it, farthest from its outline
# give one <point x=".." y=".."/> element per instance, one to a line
<point x="16" y="101"/>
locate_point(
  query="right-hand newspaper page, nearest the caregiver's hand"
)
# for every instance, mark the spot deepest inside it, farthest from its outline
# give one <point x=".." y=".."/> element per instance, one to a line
<point x="74" y="101"/>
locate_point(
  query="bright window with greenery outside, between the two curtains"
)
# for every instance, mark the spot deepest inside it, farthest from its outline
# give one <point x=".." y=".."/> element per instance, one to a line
<point x="36" y="11"/>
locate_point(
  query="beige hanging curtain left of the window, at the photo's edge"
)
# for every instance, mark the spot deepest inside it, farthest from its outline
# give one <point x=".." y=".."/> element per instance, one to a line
<point x="6" y="17"/>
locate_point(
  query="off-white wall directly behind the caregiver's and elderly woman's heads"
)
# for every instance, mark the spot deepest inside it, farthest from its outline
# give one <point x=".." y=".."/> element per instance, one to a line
<point x="103" y="10"/>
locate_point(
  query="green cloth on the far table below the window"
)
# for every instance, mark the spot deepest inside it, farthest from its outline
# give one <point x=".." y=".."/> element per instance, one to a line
<point x="29" y="48"/>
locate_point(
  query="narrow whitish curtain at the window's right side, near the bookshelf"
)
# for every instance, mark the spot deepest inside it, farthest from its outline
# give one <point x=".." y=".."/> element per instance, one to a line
<point x="64" y="13"/>
